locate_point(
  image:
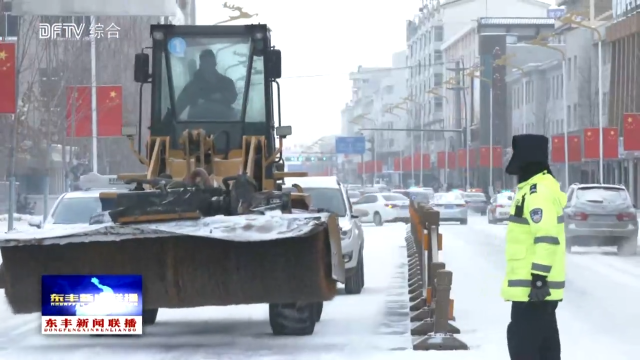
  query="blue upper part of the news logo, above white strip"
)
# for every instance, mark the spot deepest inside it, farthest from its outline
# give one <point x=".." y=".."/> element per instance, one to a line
<point x="92" y="295"/>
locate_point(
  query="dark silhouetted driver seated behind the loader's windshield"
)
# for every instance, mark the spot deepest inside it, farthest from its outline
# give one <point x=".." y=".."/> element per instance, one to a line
<point x="209" y="94"/>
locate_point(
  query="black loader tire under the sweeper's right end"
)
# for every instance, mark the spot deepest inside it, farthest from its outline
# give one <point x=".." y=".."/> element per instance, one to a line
<point x="293" y="319"/>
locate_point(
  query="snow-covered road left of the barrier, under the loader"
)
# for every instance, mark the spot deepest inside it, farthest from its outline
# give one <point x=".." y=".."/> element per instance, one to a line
<point x="353" y="326"/>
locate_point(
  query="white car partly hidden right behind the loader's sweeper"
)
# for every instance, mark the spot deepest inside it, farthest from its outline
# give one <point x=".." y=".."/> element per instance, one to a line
<point x="329" y="195"/>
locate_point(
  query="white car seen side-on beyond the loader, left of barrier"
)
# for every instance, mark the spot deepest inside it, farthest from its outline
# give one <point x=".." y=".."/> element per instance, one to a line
<point x="383" y="207"/>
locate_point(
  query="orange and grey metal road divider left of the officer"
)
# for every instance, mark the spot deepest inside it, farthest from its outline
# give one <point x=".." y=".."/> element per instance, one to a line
<point x="430" y="283"/>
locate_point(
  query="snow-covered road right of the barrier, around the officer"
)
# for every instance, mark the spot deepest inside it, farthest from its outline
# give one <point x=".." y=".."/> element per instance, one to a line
<point x="599" y="319"/>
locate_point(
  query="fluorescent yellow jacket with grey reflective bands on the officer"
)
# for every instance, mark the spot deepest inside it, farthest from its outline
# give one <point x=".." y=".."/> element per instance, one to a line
<point x="535" y="238"/>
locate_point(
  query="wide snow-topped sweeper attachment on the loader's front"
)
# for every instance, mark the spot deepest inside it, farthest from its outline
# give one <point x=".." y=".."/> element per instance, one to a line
<point x="212" y="261"/>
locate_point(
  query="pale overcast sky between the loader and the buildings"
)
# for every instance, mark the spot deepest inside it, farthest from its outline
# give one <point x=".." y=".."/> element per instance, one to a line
<point x="321" y="42"/>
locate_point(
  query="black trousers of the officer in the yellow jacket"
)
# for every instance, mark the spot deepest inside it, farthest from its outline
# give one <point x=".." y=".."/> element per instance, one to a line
<point x="532" y="333"/>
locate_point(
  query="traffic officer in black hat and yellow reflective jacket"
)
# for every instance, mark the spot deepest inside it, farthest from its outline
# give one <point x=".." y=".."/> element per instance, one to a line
<point x="535" y="252"/>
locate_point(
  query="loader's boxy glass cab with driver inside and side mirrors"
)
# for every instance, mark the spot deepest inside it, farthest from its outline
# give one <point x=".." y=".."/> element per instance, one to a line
<point x="215" y="78"/>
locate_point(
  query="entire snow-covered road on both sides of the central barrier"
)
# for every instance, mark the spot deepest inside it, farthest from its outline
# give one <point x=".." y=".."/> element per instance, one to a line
<point x="598" y="319"/>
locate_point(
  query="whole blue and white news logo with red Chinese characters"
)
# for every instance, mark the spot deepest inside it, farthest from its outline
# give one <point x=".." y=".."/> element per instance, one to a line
<point x="92" y="304"/>
